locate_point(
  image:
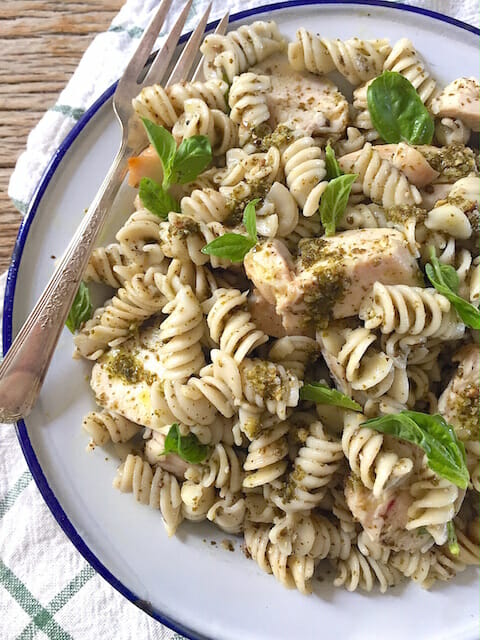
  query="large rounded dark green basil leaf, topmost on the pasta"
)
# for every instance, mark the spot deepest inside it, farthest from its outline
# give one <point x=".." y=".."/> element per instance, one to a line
<point x="396" y="110"/>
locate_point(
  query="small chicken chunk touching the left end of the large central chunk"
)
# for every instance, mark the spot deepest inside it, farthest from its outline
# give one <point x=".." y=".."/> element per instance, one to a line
<point x="270" y="267"/>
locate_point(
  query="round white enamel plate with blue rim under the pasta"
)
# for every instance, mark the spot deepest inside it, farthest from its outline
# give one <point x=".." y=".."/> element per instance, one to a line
<point x="200" y="589"/>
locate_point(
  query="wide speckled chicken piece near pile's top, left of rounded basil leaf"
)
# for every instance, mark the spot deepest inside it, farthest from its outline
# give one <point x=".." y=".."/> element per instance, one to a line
<point x="302" y="100"/>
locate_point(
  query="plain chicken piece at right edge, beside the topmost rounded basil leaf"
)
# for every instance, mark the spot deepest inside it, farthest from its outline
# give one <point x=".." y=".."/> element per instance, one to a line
<point x="460" y="99"/>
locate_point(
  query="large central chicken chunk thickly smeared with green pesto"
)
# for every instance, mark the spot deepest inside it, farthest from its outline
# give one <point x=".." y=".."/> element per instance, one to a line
<point x="334" y="273"/>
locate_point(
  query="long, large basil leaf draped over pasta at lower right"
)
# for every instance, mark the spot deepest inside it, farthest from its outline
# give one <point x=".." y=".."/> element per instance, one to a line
<point x="445" y="453"/>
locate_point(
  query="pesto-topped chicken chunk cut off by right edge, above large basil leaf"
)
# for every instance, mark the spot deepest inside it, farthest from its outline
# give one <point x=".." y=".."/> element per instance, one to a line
<point x="459" y="403"/>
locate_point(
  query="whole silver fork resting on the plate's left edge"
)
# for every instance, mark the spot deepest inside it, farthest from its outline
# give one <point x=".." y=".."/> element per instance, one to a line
<point x="25" y="365"/>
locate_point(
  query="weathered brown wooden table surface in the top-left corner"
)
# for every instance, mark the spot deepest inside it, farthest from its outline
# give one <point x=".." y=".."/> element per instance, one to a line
<point x="41" y="42"/>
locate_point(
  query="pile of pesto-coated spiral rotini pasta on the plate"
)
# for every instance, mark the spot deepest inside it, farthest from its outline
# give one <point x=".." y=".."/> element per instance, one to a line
<point x="186" y="339"/>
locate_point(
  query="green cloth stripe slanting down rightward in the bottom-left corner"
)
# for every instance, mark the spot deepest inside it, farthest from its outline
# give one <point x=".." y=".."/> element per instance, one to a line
<point x="41" y="618"/>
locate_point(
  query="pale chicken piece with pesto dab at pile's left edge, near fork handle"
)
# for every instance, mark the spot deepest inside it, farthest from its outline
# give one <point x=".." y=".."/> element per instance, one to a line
<point x="122" y="379"/>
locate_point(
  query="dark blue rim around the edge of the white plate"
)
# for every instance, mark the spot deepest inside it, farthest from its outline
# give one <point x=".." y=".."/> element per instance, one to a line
<point x="22" y="434"/>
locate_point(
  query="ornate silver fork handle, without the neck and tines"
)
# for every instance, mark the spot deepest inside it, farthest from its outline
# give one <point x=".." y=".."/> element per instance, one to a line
<point x="25" y="365"/>
